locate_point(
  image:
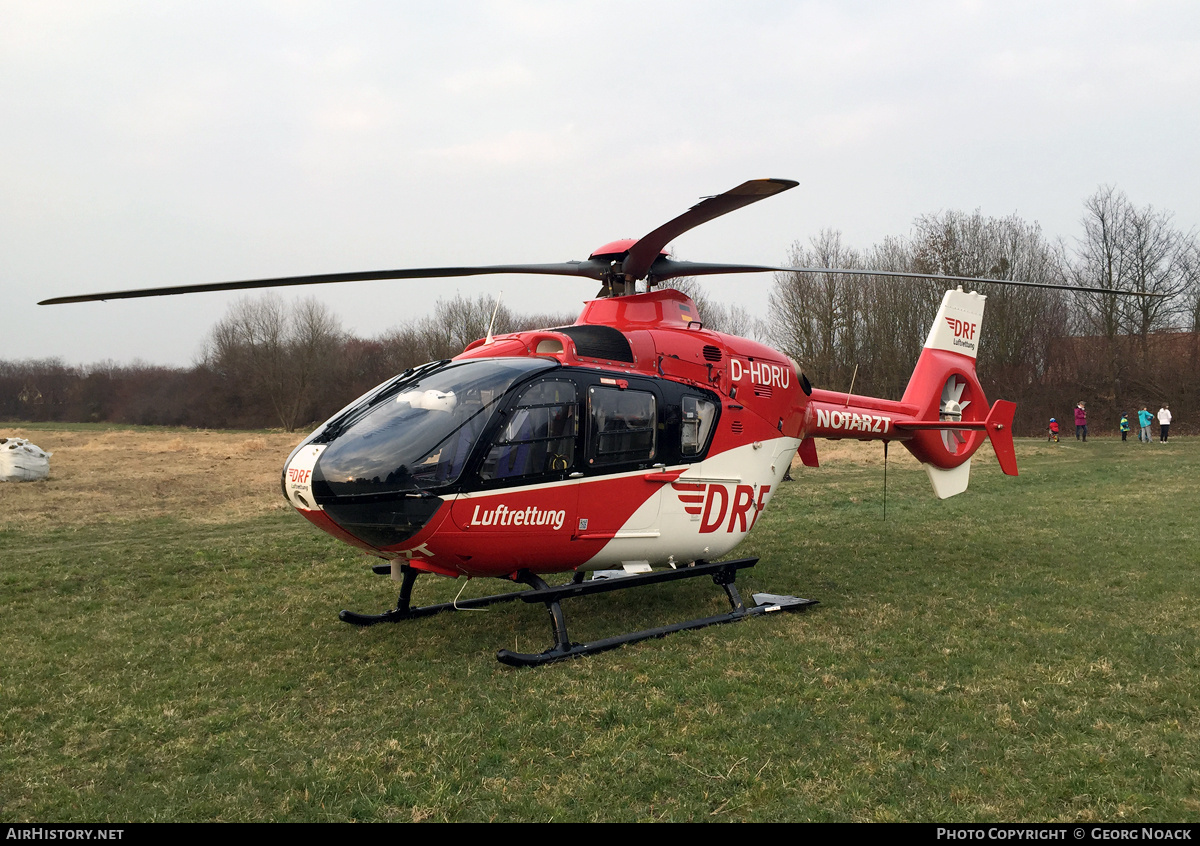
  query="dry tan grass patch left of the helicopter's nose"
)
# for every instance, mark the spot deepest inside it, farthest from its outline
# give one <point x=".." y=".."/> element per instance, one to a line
<point x="123" y="476"/>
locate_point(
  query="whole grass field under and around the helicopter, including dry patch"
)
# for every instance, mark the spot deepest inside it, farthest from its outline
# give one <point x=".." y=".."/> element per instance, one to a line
<point x="1029" y="651"/>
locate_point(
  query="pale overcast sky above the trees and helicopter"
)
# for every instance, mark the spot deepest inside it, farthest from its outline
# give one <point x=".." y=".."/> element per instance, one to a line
<point x="170" y="143"/>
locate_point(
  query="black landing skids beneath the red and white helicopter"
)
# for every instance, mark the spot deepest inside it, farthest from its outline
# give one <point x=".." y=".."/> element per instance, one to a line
<point x="724" y="574"/>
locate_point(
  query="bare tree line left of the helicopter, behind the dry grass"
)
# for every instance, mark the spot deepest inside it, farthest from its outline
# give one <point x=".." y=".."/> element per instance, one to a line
<point x="267" y="364"/>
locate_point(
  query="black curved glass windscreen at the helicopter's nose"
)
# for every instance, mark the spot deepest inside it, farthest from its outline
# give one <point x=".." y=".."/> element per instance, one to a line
<point x="416" y="435"/>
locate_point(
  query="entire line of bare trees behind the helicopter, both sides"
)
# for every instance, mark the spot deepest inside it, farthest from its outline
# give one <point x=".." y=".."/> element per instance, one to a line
<point x="269" y="364"/>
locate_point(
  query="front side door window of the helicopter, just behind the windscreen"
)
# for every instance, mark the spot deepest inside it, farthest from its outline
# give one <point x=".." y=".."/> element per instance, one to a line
<point x="538" y="435"/>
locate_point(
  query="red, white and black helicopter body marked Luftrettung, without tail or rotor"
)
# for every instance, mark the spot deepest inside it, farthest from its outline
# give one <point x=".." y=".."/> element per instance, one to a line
<point x="633" y="439"/>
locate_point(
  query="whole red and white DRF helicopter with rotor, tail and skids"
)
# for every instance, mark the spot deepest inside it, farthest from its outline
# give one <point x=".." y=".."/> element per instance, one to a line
<point x="635" y="443"/>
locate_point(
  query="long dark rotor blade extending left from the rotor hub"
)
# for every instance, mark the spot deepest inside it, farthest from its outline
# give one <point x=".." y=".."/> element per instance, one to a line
<point x="590" y="269"/>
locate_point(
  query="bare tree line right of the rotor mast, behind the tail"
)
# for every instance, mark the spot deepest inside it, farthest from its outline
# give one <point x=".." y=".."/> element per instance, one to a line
<point x="1046" y="350"/>
